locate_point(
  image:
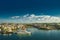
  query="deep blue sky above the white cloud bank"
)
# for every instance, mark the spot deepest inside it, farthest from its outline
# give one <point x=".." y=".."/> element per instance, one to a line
<point x="9" y="8"/>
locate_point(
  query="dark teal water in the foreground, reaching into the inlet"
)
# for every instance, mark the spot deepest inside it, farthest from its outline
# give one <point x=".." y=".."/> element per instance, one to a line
<point x="36" y="35"/>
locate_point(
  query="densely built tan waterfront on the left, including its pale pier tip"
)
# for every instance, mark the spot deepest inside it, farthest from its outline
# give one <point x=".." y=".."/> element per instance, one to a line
<point x="13" y="29"/>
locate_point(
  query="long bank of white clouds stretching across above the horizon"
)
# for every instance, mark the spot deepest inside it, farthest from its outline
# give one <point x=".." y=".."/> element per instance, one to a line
<point x="33" y="19"/>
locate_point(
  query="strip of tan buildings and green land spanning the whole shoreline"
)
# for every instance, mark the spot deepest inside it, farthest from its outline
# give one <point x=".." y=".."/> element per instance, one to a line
<point x="14" y="27"/>
